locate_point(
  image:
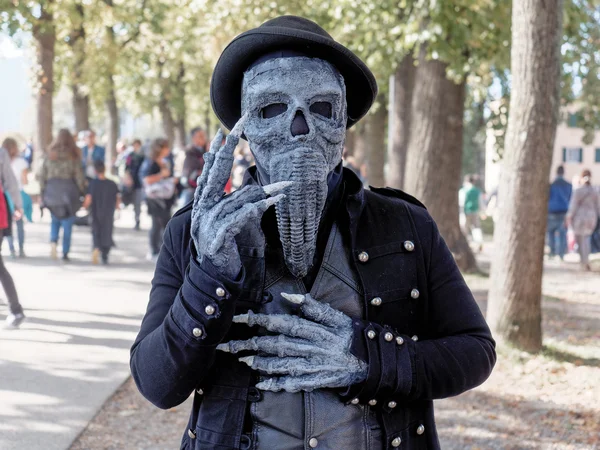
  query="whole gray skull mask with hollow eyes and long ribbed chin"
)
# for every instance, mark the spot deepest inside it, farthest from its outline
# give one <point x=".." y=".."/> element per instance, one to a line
<point x="296" y="127"/>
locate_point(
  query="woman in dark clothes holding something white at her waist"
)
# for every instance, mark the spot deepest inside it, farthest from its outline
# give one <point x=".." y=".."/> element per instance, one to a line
<point x="160" y="193"/>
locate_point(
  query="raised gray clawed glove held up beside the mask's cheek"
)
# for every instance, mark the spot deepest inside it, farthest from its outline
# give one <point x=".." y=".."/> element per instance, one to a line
<point x="217" y="219"/>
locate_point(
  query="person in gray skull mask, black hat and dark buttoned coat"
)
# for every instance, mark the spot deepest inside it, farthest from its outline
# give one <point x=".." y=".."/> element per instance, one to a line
<point x="304" y="311"/>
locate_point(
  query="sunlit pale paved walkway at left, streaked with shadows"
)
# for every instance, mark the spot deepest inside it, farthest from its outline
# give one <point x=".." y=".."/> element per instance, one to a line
<point x="72" y="353"/>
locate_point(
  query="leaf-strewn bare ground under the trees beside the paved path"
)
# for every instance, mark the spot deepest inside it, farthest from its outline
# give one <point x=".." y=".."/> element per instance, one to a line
<point x="548" y="401"/>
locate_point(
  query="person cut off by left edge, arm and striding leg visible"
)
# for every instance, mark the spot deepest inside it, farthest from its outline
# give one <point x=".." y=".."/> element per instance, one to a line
<point x="9" y="185"/>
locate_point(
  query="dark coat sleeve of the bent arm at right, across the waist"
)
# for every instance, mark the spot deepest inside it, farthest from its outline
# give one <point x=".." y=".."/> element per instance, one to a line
<point x="459" y="353"/>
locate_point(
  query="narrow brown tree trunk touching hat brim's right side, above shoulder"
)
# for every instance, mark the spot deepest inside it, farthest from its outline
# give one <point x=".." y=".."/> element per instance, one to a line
<point x="375" y="136"/>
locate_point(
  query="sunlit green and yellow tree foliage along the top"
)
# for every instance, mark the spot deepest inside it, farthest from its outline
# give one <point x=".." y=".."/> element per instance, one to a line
<point x="166" y="49"/>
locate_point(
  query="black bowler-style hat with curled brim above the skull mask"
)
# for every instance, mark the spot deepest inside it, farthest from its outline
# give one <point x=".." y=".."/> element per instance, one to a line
<point x="295" y="34"/>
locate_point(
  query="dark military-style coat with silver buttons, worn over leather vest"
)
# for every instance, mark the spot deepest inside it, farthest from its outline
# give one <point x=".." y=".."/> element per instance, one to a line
<point x="409" y="287"/>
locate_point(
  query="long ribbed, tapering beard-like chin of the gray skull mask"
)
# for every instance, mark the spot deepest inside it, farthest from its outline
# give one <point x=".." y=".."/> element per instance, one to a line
<point x="299" y="214"/>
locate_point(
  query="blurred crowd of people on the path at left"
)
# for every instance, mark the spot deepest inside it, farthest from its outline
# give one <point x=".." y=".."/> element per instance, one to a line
<point x="78" y="186"/>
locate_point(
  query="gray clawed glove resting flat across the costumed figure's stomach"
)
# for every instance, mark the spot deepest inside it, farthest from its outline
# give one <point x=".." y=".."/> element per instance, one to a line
<point x="311" y="353"/>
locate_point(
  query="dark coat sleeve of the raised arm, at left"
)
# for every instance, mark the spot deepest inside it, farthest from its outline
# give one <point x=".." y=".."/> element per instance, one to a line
<point x="175" y="348"/>
